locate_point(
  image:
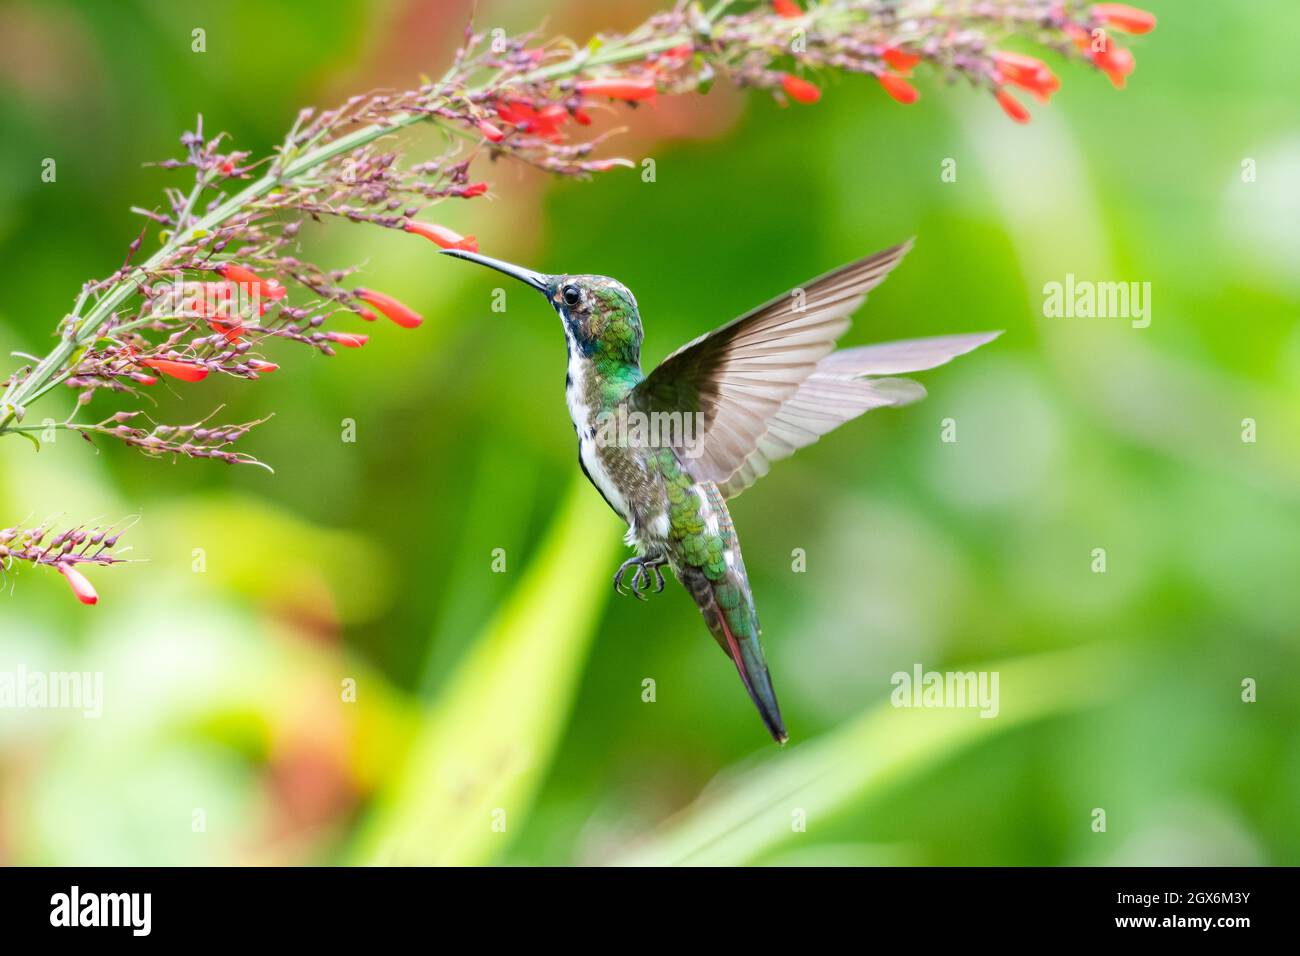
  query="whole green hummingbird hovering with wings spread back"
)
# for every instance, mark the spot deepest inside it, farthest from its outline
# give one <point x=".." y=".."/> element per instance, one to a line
<point x="755" y="391"/>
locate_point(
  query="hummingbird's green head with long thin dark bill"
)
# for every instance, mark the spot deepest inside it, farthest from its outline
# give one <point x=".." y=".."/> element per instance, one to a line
<point x="600" y="314"/>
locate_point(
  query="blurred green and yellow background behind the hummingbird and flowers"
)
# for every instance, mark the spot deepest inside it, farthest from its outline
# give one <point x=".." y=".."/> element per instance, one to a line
<point x="500" y="717"/>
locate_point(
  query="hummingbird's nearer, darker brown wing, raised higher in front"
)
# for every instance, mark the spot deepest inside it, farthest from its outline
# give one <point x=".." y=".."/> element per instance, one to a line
<point x="740" y="377"/>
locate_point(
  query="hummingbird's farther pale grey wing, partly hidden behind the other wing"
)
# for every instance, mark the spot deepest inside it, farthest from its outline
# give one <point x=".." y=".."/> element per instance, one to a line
<point x="838" y="392"/>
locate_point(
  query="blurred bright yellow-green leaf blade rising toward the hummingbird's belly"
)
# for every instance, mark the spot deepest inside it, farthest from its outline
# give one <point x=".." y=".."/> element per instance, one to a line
<point x="487" y="742"/>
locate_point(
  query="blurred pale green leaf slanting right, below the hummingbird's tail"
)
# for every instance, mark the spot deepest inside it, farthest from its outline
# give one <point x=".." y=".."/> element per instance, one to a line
<point x="749" y="816"/>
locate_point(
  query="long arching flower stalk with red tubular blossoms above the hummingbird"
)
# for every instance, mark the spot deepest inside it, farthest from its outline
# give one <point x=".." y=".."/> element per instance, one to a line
<point x="227" y="280"/>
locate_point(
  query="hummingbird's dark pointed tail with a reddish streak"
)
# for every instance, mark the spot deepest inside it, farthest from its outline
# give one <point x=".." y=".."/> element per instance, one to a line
<point x="729" y="611"/>
